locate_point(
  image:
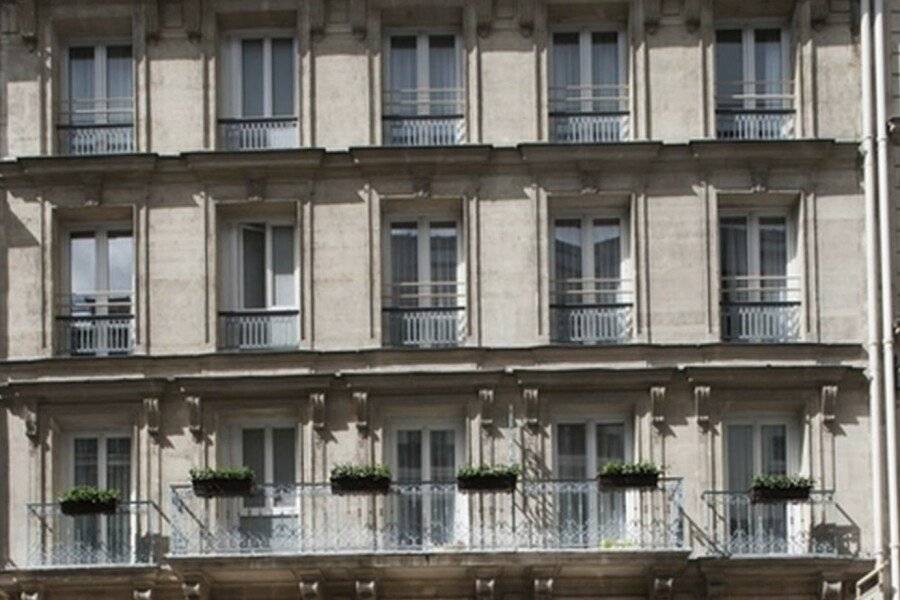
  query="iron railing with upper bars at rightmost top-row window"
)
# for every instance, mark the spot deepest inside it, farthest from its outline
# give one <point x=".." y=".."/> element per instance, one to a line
<point x="755" y="110"/>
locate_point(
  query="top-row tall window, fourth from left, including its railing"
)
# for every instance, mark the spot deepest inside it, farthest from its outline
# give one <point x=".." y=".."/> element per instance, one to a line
<point x="589" y="94"/>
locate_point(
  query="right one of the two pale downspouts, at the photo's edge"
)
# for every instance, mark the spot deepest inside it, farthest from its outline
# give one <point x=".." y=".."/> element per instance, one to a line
<point x="887" y="300"/>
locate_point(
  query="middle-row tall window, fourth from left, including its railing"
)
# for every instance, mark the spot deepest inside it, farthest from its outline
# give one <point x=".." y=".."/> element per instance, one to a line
<point x="591" y="300"/>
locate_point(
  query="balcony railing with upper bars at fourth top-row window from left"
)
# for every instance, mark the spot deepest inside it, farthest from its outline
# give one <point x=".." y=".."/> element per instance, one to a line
<point x="589" y="114"/>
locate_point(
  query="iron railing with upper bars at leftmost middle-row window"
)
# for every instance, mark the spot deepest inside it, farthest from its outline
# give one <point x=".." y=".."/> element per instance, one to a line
<point x="95" y="323"/>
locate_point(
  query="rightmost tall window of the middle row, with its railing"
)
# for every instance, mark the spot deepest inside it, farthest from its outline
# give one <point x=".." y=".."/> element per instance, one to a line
<point x="760" y="295"/>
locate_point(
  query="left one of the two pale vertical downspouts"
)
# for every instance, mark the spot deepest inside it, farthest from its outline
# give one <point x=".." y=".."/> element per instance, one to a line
<point x="872" y="314"/>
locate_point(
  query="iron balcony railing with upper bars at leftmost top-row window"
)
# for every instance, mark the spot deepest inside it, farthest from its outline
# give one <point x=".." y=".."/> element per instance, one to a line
<point x="96" y="126"/>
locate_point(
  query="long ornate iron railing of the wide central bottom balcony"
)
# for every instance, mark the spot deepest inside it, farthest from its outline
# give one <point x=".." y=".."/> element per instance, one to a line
<point x="427" y="516"/>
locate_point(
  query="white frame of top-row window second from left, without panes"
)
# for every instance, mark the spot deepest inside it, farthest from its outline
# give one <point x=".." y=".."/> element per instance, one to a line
<point x="231" y="49"/>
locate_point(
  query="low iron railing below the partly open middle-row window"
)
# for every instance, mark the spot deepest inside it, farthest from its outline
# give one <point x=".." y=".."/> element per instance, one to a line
<point x="259" y="329"/>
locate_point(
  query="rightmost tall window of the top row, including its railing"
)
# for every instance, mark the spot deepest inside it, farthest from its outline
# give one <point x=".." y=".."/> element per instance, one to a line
<point x="754" y="87"/>
